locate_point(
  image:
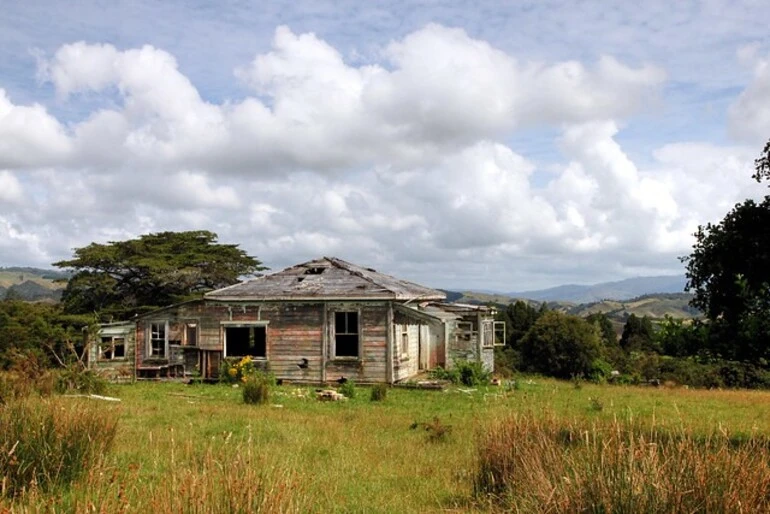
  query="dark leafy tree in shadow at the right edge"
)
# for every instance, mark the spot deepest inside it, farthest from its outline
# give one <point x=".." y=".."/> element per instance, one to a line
<point x="729" y="273"/>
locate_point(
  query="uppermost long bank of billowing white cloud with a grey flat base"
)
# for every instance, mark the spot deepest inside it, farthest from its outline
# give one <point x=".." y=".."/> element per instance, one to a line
<point x="437" y="89"/>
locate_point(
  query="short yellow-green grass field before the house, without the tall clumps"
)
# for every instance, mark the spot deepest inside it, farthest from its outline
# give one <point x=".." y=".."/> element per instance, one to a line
<point x="177" y="444"/>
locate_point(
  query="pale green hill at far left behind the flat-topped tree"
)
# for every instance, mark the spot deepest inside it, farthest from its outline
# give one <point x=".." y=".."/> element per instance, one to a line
<point x="32" y="284"/>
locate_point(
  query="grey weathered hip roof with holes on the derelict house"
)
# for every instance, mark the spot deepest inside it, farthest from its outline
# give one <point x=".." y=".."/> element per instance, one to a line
<point x="327" y="278"/>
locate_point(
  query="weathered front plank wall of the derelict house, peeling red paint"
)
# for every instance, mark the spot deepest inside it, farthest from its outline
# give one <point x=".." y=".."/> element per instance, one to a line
<point x="299" y="336"/>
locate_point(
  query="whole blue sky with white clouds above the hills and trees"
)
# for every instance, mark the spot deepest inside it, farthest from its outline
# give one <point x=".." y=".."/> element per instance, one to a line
<point x="495" y="145"/>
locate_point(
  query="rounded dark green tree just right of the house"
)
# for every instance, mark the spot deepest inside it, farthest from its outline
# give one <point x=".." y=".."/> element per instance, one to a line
<point x="561" y="345"/>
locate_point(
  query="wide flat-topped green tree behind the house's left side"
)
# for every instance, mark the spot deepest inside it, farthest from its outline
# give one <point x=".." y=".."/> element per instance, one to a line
<point x="125" y="277"/>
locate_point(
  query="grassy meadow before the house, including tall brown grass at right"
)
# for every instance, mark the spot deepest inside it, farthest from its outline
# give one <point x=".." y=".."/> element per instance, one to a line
<point x="199" y="448"/>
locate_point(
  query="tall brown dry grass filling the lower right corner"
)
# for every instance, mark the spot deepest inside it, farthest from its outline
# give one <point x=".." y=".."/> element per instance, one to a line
<point x="529" y="463"/>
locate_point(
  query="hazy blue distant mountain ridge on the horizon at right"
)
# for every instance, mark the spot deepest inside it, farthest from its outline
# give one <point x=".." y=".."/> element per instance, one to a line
<point x="619" y="290"/>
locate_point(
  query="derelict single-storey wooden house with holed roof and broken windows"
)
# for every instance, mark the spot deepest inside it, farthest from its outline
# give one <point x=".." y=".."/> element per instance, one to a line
<point x="315" y="322"/>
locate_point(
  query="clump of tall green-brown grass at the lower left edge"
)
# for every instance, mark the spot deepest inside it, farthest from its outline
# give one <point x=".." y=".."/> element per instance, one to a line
<point x="46" y="443"/>
